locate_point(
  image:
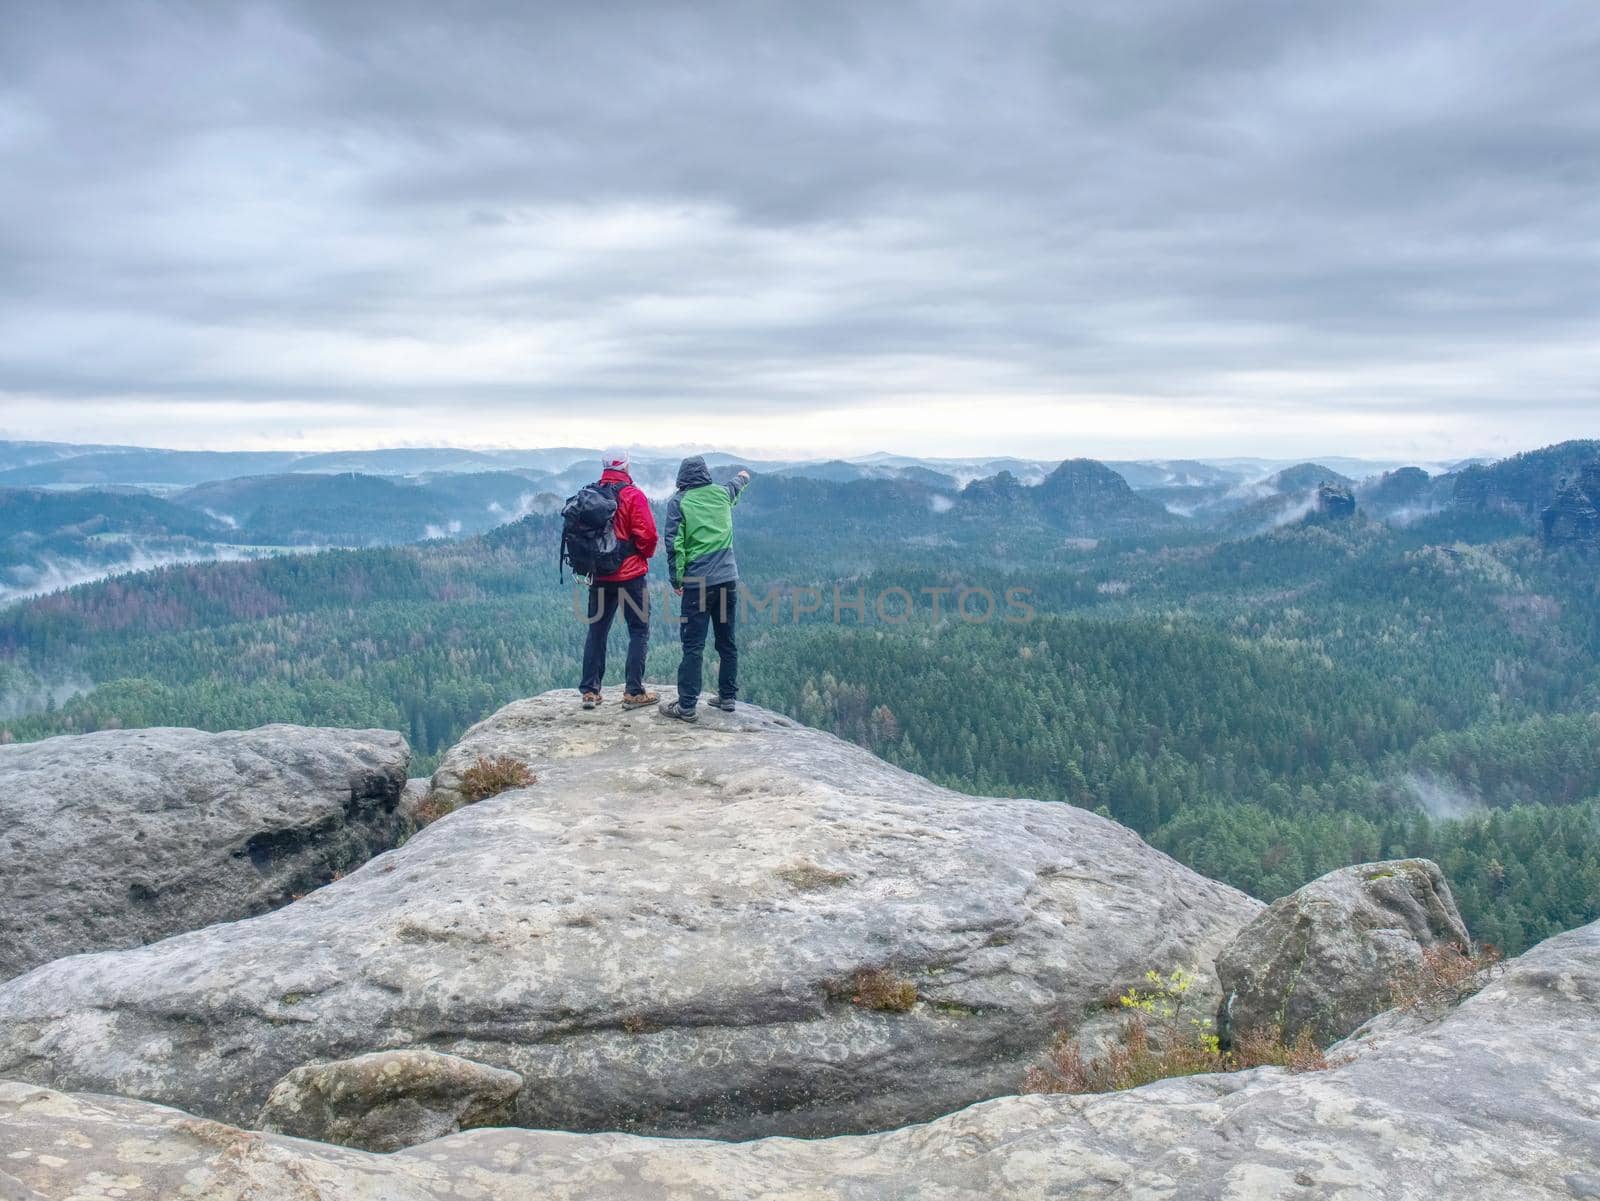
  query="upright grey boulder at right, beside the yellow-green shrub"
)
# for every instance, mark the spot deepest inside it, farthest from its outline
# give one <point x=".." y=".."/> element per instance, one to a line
<point x="1329" y="956"/>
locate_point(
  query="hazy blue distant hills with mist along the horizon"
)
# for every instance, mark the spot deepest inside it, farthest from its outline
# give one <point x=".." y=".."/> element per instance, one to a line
<point x="71" y="514"/>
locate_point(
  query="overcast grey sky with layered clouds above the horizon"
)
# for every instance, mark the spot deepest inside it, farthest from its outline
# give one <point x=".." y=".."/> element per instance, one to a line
<point x="1156" y="228"/>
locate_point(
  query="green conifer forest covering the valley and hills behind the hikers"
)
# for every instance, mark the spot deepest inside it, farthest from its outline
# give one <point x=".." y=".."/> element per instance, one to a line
<point x="1266" y="709"/>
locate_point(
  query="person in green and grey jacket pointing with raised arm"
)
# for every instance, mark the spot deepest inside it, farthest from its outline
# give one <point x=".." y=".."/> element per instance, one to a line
<point x="703" y="573"/>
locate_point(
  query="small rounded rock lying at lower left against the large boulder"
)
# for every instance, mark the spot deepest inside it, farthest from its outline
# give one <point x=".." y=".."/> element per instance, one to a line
<point x="391" y="1099"/>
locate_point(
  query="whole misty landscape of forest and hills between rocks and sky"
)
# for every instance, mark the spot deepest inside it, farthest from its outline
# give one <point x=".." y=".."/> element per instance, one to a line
<point x="1268" y="671"/>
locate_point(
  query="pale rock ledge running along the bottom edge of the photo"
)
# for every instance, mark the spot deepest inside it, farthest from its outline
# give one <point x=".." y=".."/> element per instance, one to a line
<point x="1498" y="1099"/>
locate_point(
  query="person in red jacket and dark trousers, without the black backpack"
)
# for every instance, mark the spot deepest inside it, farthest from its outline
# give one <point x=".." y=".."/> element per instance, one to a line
<point x="625" y="589"/>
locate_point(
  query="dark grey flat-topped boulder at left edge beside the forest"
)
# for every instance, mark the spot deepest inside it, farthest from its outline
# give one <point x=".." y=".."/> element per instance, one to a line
<point x="118" y="839"/>
